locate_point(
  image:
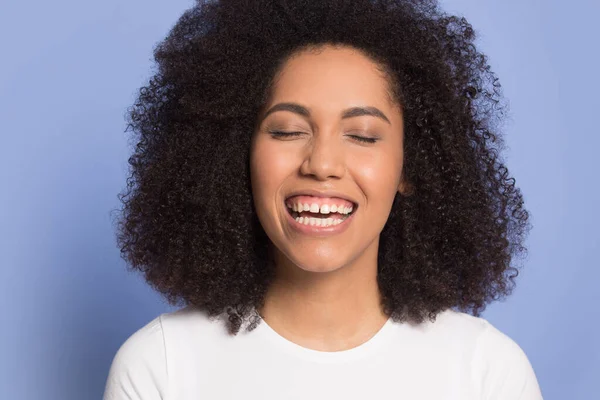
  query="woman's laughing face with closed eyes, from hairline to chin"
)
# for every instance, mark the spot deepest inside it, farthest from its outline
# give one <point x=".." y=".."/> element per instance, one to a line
<point x="326" y="155"/>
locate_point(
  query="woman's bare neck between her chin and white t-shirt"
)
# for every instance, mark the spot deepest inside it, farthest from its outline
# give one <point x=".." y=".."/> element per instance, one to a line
<point x="327" y="311"/>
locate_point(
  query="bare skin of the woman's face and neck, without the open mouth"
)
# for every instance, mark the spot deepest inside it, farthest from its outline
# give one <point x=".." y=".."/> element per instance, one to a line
<point x="325" y="295"/>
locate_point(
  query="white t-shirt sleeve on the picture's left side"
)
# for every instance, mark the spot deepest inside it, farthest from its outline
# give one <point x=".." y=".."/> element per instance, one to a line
<point x="139" y="369"/>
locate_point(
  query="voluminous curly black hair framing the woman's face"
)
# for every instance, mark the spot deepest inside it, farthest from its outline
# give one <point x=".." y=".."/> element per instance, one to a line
<point x="188" y="220"/>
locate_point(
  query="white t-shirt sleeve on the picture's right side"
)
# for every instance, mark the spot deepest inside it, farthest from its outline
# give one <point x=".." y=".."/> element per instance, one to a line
<point x="502" y="368"/>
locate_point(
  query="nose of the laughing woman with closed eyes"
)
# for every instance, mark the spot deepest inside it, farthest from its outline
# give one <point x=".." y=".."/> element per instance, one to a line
<point x="325" y="157"/>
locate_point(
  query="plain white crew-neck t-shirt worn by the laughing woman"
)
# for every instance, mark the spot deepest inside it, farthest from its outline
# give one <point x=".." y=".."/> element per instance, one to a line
<point x="182" y="355"/>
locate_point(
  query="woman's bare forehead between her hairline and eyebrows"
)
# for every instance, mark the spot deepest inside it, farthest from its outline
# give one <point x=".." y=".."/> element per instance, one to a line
<point x="331" y="77"/>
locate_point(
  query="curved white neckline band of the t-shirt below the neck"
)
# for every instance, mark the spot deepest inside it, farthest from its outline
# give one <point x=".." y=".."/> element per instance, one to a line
<point x="370" y="347"/>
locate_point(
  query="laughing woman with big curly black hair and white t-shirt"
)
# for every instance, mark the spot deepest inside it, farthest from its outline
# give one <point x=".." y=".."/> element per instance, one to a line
<point x="329" y="172"/>
